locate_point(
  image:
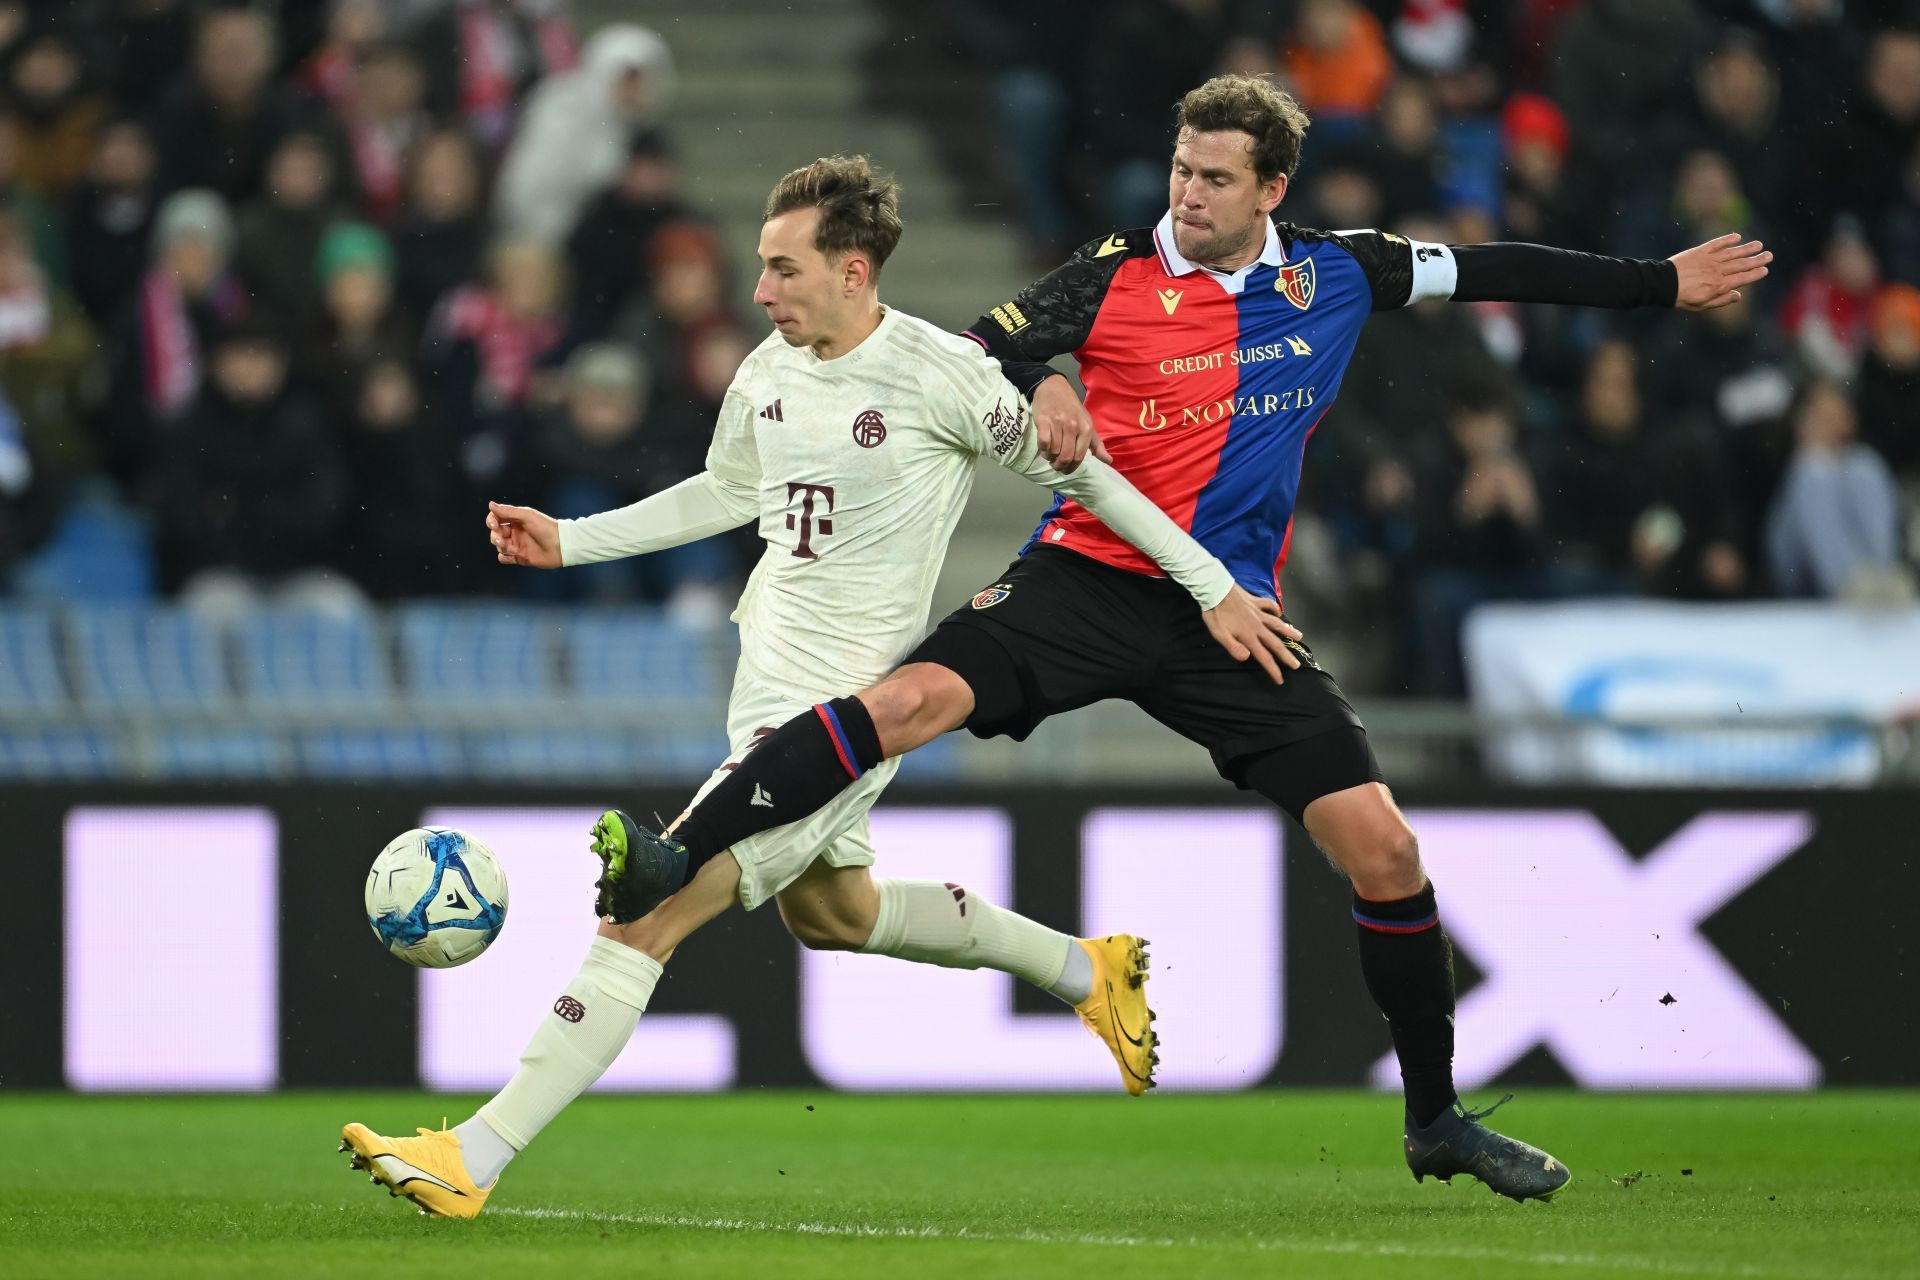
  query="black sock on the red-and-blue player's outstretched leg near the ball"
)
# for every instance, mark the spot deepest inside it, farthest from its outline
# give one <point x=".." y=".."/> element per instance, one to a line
<point x="796" y="769"/>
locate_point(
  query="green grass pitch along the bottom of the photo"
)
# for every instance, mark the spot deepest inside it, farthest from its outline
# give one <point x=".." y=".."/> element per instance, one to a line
<point x="838" y="1187"/>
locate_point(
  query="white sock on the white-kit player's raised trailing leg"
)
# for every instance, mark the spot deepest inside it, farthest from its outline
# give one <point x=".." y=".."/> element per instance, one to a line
<point x="948" y="926"/>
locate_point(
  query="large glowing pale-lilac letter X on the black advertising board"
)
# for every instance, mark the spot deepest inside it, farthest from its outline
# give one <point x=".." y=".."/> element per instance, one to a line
<point x="1581" y="943"/>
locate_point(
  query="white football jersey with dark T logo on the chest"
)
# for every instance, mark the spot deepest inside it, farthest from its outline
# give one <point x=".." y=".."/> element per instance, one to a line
<point x="863" y="465"/>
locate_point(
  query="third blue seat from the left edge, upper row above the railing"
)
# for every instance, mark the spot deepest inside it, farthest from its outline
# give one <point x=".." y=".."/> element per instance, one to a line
<point x="302" y="661"/>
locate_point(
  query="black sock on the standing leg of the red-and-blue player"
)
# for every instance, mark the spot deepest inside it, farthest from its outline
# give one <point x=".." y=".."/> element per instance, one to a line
<point x="1408" y="964"/>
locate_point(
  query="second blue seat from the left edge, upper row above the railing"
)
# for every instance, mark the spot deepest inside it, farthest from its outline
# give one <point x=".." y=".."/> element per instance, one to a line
<point x="147" y="659"/>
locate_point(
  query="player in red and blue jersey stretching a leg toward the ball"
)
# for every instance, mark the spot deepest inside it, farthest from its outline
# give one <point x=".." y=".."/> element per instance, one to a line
<point x="1211" y="346"/>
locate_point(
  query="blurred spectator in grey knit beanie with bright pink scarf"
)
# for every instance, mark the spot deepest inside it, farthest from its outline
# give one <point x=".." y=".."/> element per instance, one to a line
<point x="156" y="354"/>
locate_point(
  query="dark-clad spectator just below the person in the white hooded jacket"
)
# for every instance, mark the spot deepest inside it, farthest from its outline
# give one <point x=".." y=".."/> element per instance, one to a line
<point x="608" y="252"/>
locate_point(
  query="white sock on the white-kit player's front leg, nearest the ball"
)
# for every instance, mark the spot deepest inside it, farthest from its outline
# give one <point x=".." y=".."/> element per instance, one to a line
<point x="575" y="1045"/>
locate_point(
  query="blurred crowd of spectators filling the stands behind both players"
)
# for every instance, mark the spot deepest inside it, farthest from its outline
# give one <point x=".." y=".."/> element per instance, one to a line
<point x="302" y="283"/>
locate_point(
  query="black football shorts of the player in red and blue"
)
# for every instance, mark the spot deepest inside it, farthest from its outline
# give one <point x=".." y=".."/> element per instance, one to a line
<point x="1070" y="630"/>
